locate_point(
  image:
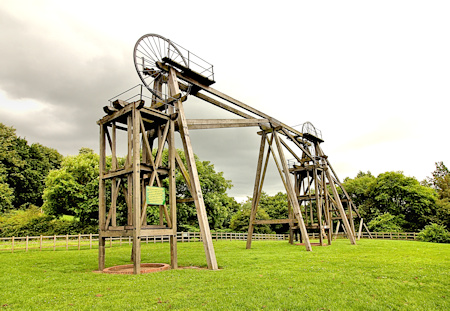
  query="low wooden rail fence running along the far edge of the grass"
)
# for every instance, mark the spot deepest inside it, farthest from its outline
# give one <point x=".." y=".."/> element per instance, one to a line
<point x="90" y="241"/>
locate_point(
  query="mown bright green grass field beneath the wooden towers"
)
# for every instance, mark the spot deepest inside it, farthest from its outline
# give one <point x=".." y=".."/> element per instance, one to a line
<point x="273" y="275"/>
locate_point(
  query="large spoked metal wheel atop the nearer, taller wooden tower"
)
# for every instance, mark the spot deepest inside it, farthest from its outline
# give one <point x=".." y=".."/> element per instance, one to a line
<point x="149" y="49"/>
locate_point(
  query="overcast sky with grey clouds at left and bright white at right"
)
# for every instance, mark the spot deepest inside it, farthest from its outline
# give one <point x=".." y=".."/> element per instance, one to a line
<point x="373" y="76"/>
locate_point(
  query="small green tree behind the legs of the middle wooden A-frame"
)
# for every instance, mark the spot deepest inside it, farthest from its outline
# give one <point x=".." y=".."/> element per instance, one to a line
<point x="240" y="220"/>
